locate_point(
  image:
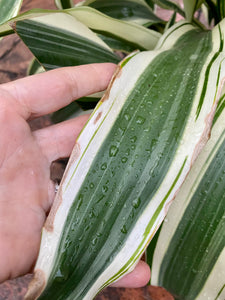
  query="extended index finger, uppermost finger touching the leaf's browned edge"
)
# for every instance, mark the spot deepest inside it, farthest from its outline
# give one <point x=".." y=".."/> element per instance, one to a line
<point x="47" y="92"/>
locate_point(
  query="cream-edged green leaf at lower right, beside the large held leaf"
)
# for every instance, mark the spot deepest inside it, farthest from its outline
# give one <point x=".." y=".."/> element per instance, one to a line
<point x="189" y="259"/>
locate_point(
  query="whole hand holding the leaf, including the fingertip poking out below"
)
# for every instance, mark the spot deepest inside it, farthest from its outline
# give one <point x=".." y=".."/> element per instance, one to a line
<point x="26" y="191"/>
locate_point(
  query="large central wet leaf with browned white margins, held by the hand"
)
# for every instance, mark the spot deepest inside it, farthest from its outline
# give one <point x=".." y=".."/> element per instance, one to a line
<point x="128" y="164"/>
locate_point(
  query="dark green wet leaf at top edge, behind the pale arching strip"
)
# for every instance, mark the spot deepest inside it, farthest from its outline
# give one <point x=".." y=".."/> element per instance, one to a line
<point x="130" y="10"/>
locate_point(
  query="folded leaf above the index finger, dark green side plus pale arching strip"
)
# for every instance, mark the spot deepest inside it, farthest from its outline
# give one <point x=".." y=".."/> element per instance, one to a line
<point x="63" y="39"/>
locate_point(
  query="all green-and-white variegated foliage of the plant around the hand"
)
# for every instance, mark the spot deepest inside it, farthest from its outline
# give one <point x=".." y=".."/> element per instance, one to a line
<point x="157" y="119"/>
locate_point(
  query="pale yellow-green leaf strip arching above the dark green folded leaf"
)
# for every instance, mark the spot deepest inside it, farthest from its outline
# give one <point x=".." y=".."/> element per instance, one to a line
<point x="141" y="37"/>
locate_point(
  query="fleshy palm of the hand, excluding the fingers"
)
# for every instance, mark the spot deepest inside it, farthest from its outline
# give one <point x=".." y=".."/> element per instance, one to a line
<point x="26" y="193"/>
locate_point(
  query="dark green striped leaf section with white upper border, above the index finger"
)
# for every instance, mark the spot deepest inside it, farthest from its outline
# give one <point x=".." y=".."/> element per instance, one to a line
<point x="58" y="40"/>
